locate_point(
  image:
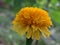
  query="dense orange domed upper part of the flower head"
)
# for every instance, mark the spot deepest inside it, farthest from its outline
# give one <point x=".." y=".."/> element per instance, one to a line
<point x="33" y="16"/>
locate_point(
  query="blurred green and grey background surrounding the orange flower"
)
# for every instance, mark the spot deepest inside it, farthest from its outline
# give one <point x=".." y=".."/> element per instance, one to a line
<point x="8" y="9"/>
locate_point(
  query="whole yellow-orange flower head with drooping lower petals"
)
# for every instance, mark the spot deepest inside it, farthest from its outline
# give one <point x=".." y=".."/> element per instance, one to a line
<point x="33" y="22"/>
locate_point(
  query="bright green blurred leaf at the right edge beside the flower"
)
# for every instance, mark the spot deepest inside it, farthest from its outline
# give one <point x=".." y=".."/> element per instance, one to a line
<point x="55" y="15"/>
